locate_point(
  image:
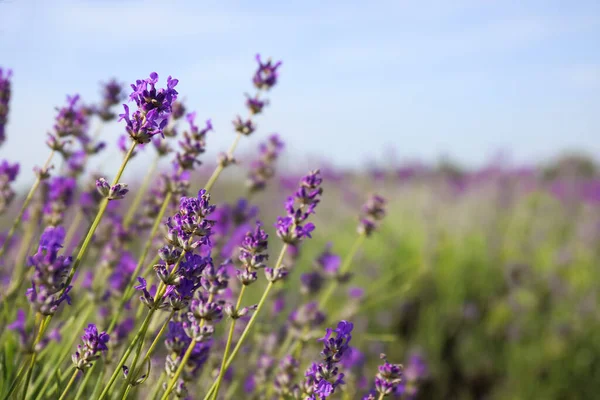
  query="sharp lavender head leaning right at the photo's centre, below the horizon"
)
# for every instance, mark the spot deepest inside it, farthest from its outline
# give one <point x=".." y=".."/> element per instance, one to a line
<point x="291" y="228"/>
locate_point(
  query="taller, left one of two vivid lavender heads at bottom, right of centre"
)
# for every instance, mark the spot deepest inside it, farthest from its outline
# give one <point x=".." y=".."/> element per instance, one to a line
<point x="322" y="379"/>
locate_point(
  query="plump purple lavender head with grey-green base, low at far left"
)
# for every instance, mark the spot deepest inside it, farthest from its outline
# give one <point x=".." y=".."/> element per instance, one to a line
<point x="48" y="289"/>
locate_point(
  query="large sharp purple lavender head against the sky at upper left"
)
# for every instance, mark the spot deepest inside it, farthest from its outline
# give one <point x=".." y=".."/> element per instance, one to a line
<point x="154" y="106"/>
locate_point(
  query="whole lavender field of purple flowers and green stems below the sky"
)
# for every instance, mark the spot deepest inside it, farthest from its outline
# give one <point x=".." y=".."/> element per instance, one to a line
<point x="406" y="281"/>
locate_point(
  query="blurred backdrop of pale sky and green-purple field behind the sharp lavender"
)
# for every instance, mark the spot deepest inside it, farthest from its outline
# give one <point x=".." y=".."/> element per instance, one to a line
<point x="477" y="120"/>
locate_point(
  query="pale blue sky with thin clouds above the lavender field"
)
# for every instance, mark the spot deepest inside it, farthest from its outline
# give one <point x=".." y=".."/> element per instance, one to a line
<point x="463" y="78"/>
